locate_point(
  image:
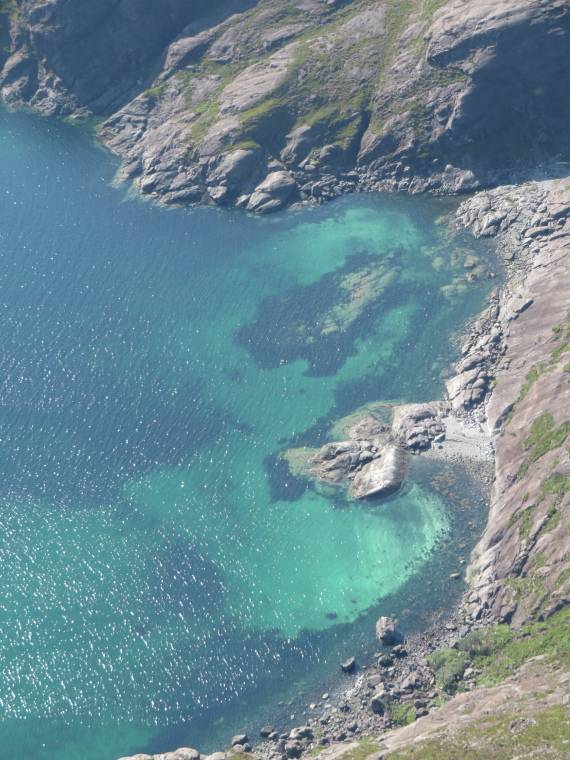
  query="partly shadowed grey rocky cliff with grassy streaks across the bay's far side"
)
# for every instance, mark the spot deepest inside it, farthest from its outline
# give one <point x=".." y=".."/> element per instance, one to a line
<point x="262" y="103"/>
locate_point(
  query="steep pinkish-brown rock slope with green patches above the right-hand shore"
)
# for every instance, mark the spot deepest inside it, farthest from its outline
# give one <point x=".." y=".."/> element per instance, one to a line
<point x="521" y="568"/>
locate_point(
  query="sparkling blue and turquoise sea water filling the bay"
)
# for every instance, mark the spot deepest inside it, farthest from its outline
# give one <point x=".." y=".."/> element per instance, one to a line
<point x="165" y="580"/>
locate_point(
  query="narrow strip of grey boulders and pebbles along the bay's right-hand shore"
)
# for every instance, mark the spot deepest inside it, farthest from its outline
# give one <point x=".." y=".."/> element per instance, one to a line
<point x="472" y="425"/>
